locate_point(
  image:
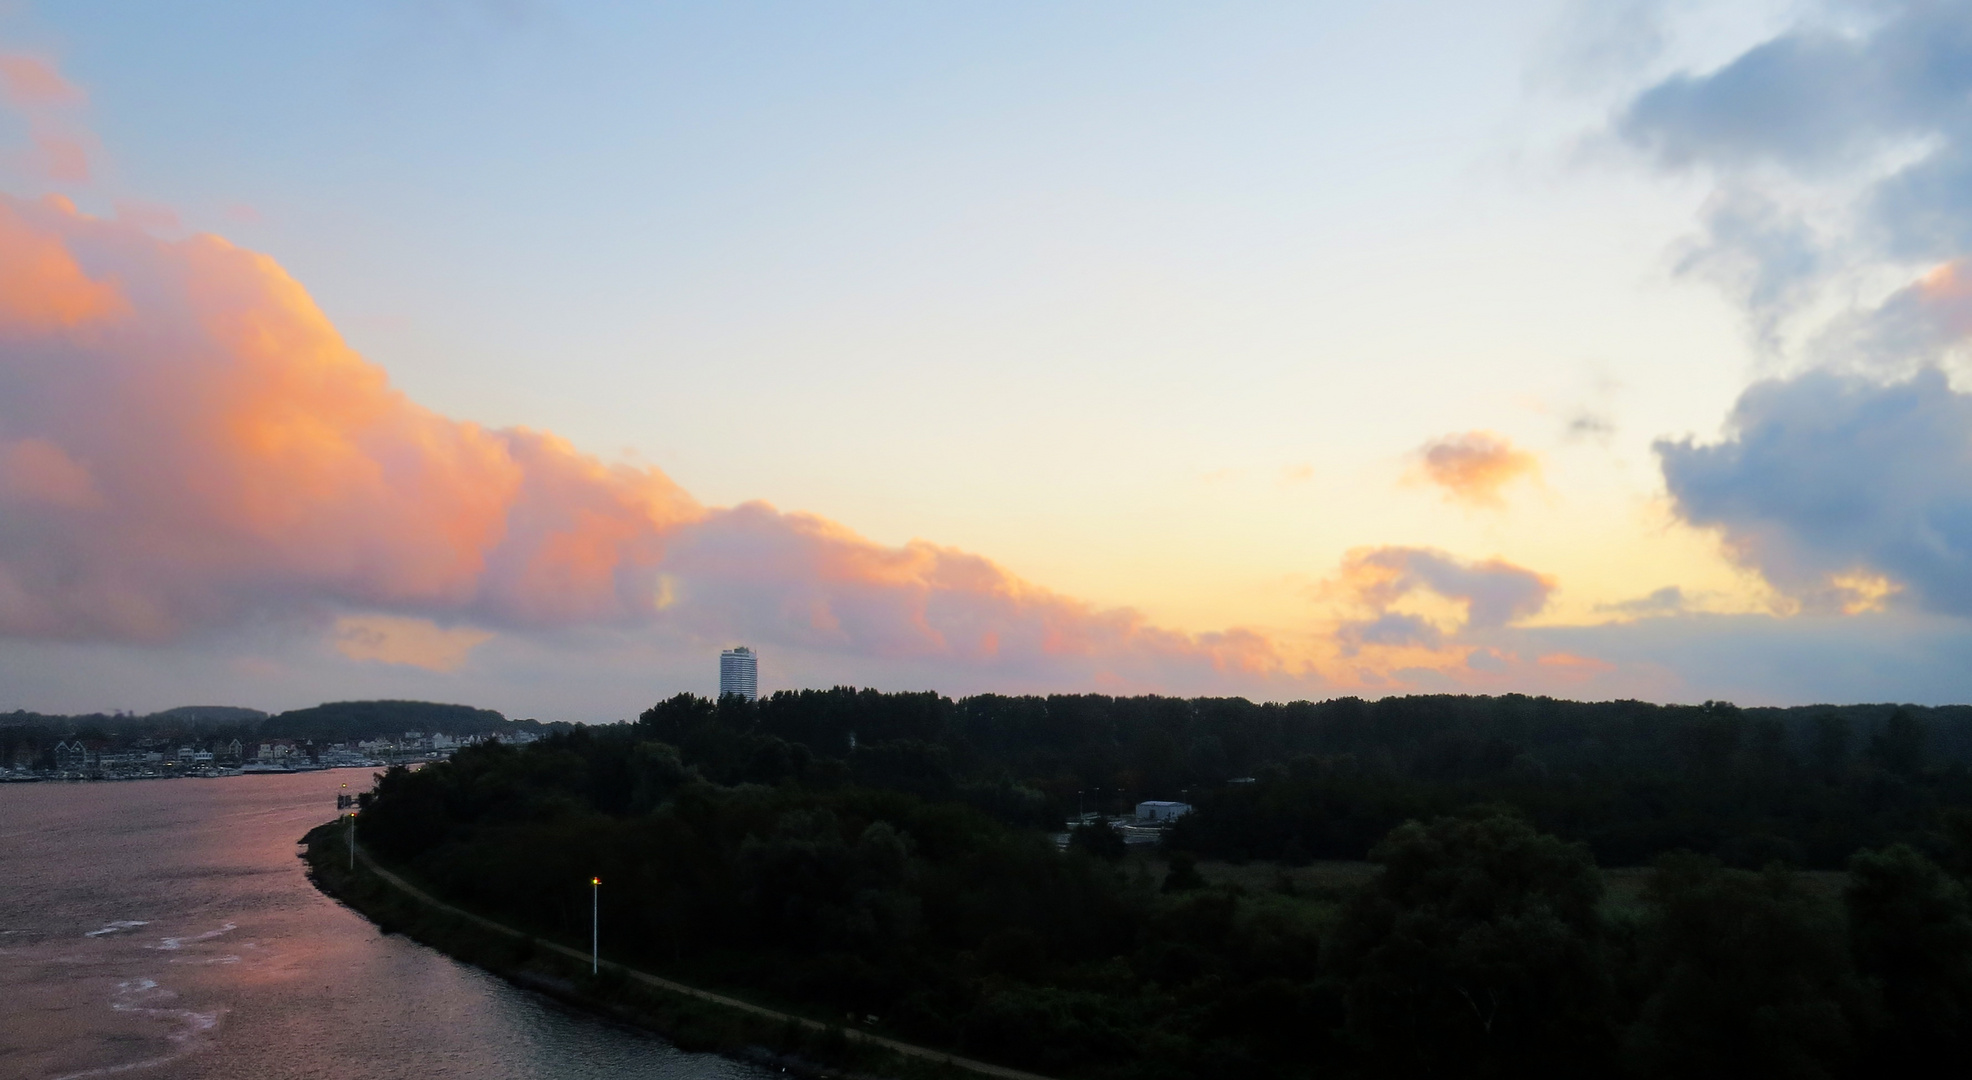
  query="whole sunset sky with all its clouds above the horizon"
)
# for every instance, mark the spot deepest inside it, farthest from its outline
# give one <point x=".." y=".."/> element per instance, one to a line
<point x="529" y="354"/>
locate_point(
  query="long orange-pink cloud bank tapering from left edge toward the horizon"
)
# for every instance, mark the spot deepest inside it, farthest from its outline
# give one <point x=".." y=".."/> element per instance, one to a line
<point x="186" y="446"/>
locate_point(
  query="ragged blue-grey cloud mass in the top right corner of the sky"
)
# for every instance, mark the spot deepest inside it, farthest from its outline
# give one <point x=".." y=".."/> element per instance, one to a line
<point x="1829" y="101"/>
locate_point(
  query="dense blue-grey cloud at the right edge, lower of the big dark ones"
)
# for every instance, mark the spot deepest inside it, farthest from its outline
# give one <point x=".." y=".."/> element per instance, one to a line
<point x="1827" y="476"/>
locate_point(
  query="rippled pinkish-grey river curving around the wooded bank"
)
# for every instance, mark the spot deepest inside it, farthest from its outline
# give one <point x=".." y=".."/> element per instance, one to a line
<point x="165" y="929"/>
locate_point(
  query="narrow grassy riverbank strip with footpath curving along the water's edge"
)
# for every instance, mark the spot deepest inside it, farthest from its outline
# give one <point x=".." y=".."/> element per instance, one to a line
<point x="689" y="1018"/>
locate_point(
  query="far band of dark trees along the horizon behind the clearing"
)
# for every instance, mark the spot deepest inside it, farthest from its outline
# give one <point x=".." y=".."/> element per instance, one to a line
<point x="1809" y="785"/>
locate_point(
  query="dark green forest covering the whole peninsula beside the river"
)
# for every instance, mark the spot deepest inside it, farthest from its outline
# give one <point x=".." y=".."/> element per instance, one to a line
<point x="890" y="854"/>
